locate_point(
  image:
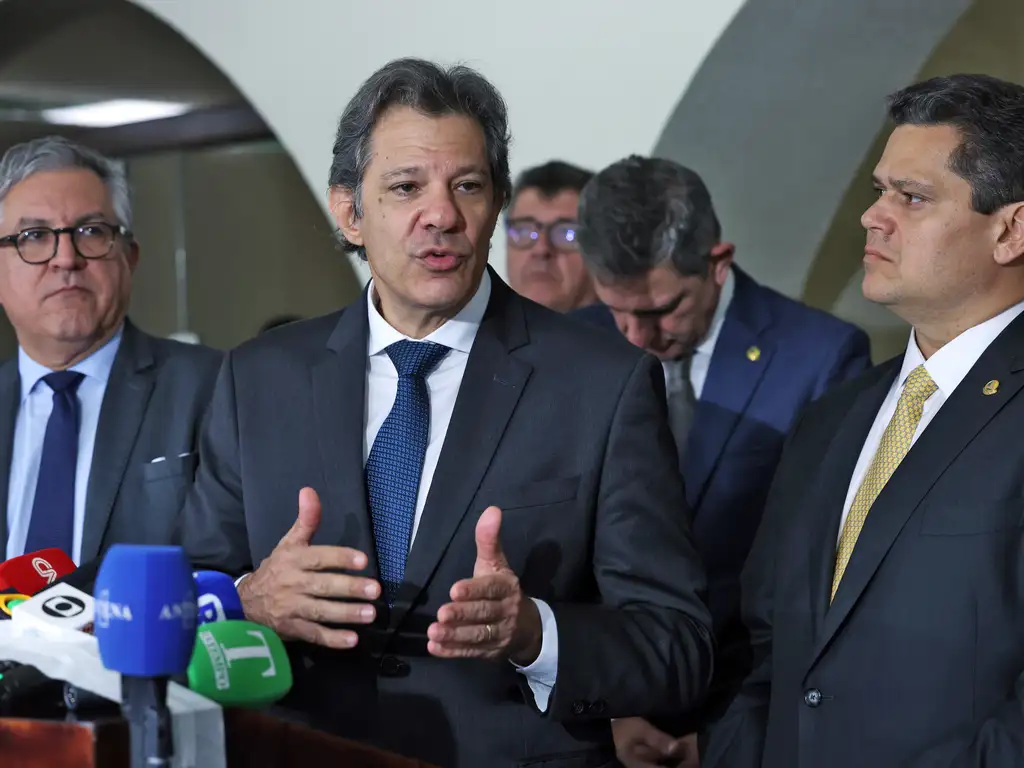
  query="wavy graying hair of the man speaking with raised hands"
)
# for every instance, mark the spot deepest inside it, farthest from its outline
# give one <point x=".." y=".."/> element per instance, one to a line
<point x="433" y="91"/>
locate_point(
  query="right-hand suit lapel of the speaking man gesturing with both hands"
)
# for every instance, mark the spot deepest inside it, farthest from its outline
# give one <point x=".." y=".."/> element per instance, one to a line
<point x="491" y="389"/>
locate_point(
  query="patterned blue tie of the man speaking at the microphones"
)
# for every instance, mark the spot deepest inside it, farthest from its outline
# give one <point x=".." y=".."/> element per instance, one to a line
<point x="396" y="461"/>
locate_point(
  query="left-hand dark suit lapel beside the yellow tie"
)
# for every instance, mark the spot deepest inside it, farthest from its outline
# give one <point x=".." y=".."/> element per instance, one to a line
<point x="829" y="497"/>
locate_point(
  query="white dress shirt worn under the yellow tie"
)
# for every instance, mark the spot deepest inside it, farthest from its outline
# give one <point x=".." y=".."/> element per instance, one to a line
<point x="948" y="368"/>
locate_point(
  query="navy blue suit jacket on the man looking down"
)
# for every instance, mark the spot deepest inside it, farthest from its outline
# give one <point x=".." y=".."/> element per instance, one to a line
<point x="746" y="410"/>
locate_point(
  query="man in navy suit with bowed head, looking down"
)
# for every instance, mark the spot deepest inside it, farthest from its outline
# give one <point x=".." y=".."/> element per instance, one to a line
<point x="741" y="363"/>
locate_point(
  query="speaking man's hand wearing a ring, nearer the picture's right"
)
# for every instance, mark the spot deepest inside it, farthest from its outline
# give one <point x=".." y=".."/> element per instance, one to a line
<point x="489" y="616"/>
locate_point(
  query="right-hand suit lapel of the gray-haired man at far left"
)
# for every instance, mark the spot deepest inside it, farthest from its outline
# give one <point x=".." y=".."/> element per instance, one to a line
<point x="125" y="401"/>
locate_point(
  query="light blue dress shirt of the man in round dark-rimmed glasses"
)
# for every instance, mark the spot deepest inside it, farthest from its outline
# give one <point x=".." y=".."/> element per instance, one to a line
<point x="30" y="430"/>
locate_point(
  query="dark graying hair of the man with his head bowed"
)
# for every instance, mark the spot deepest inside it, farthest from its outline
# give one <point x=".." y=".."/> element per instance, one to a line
<point x="641" y="214"/>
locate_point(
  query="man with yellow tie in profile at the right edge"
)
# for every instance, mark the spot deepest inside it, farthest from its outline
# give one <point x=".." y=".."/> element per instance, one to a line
<point x="885" y="592"/>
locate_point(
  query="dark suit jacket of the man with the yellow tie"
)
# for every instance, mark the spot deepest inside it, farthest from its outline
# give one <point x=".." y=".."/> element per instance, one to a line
<point x="918" y="662"/>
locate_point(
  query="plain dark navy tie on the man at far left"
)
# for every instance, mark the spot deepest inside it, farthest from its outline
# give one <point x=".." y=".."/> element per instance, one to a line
<point x="53" y="522"/>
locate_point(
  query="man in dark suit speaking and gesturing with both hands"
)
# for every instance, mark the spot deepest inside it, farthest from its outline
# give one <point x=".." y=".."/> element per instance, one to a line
<point x="485" y="488"/>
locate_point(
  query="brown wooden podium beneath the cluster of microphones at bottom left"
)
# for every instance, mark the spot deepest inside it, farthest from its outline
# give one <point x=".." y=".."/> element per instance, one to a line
<point x="254" y="741"/>
